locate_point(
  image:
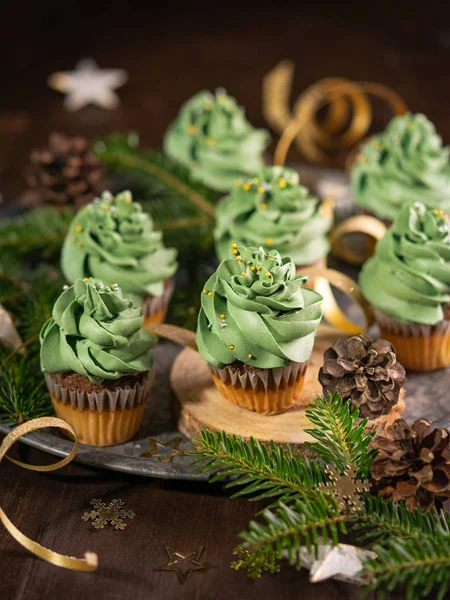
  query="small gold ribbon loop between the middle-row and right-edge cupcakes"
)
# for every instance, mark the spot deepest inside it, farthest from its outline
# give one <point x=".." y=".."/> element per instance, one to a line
<point x="366" y="224"/>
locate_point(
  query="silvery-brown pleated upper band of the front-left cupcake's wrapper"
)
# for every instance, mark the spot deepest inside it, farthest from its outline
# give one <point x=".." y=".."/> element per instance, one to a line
<point x="100" y="401"/>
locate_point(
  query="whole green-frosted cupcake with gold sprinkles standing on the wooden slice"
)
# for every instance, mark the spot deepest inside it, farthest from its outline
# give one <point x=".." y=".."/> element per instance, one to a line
<point x="256" y="329"/>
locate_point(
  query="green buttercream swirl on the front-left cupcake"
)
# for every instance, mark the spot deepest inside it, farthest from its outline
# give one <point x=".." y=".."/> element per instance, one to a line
<point x="94" y="331"/>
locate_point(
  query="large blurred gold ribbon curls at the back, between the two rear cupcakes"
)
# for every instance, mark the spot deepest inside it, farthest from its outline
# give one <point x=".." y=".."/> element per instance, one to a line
<point x="347" y="120"/>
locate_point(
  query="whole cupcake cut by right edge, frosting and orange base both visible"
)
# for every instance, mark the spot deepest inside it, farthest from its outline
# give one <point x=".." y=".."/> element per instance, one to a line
<point x="408" y="283"/>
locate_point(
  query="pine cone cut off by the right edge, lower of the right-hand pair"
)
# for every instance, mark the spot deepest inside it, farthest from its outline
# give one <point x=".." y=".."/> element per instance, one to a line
<point x="413" y="464"/>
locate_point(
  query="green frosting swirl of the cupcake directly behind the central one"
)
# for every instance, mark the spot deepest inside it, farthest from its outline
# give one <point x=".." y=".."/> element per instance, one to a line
<point x="274" y="210"/>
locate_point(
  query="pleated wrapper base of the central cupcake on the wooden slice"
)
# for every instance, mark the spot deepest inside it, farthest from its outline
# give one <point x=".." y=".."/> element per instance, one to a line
<point x="265" y="391"/>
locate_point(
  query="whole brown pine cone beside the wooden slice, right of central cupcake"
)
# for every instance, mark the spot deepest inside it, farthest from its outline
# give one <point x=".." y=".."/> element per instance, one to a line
<point x="364" y="371"/>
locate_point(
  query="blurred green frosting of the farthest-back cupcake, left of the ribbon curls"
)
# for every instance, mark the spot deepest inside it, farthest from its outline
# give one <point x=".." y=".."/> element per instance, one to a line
<point x="213" y="138"/>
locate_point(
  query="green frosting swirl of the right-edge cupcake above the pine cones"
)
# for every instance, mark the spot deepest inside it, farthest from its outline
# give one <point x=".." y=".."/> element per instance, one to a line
<point x="409" y="275"/>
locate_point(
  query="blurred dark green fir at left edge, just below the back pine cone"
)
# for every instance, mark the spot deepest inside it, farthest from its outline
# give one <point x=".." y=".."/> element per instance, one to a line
<point x="42" y="229"/>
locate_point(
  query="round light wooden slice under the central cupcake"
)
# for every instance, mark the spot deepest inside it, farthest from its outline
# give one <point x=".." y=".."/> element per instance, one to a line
<point x="203" y="407"/>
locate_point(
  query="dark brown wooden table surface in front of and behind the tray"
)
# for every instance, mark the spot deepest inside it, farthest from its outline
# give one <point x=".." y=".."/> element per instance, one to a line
<point x="171" y="52"/>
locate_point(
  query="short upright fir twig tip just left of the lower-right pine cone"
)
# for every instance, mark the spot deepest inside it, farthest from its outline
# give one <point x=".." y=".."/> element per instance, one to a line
<point x="342" y="441"/>
